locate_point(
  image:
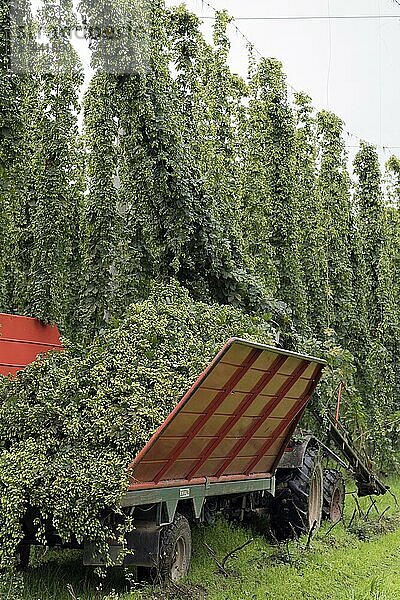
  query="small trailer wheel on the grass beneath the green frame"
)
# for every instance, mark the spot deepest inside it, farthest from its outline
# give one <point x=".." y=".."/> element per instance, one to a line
<point x="175" y="549"/>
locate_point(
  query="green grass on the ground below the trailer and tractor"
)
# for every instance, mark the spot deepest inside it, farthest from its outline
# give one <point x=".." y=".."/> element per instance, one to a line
<point x="347" y="563"/>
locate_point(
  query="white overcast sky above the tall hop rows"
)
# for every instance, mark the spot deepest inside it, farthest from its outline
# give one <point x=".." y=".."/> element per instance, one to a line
<point x="350" y="66"/>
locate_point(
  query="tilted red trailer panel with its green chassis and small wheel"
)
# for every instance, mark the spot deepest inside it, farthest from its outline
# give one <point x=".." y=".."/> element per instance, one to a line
<point x="216" y="452"/>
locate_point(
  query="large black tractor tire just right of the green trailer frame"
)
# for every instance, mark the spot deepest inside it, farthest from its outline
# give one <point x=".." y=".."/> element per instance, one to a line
<point x="297" y="507"/>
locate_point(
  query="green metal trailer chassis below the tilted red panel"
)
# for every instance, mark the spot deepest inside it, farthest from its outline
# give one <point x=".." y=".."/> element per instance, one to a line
<point x="154" y="509"/>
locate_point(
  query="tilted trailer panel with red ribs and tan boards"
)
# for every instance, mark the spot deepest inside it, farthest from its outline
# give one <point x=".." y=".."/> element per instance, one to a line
<point x="234" y="423"/>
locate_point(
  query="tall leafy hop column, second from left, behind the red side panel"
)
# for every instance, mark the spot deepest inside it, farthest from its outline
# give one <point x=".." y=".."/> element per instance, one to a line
<point x="56" y="184"/>
